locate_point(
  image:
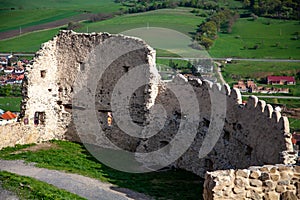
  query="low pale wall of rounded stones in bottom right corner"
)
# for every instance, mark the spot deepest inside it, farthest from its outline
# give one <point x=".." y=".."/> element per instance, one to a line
<point x="269" y="182"/>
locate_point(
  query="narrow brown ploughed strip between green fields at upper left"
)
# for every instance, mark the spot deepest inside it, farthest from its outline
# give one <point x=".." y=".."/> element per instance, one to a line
<point x="50" y="25"/>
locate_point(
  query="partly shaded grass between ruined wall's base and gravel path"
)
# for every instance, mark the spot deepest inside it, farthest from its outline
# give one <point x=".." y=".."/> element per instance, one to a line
<point x="73" y="157"/>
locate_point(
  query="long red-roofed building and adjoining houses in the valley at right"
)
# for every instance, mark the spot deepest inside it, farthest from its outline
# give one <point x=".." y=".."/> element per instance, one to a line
<point x="251" y="87"/>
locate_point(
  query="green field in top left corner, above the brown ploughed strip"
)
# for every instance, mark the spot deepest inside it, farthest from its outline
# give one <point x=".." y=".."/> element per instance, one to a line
<point x="32" y="12"/>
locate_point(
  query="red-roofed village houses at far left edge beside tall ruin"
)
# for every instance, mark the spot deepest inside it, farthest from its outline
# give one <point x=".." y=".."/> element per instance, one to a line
<point x="12" y="73"/>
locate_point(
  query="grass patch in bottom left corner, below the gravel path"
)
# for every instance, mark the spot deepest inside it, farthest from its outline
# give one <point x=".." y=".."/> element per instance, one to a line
<point x="29" y="188"/>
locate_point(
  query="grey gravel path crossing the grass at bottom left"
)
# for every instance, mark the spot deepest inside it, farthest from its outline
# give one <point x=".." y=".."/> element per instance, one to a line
<point x="88" y="188"/>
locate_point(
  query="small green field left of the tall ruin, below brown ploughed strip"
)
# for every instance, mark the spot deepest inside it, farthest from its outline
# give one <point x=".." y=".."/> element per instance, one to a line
<point x="30" y="42"/>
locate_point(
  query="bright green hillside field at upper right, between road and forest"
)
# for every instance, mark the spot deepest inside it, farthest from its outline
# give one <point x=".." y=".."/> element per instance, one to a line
<point x="274" y="40"/>
